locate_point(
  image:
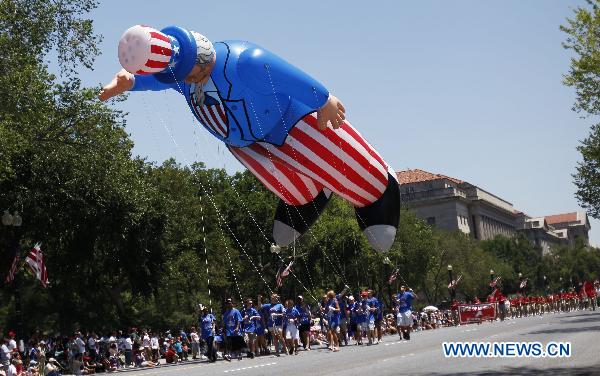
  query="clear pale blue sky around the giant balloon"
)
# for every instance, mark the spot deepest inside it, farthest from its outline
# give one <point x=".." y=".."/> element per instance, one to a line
<point x="468" y="89"/>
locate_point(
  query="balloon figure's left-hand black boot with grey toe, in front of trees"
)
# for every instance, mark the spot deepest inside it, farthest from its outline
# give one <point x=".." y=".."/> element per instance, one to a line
<point x="293" y="221"/>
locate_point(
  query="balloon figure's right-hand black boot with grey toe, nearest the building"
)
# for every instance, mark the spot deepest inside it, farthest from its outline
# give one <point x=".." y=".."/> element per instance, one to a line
<point x="379" y="220"/>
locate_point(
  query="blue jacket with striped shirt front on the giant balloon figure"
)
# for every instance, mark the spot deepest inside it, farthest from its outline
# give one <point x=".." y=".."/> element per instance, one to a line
<point x="253" y="95"/>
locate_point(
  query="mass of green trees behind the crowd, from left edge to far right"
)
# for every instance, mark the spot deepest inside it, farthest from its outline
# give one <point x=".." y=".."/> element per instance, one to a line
<point x="133" y="242"/>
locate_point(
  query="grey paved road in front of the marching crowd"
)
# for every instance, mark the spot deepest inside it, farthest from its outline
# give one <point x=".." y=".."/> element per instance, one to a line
<point x="423" y="354"/>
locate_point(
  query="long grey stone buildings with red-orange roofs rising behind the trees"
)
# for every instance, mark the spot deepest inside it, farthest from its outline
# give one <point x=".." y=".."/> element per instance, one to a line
<point x="453" y="204"/>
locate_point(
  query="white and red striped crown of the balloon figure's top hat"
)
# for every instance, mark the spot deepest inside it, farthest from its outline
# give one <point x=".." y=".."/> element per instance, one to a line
<point x="145" y="50"/>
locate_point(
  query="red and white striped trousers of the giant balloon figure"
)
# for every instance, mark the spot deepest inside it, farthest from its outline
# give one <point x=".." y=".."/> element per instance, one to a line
<point x="310" y="160"/>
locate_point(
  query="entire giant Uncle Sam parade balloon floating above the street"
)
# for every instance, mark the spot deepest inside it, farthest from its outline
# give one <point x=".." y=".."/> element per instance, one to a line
<point x="279" y="122"/>
